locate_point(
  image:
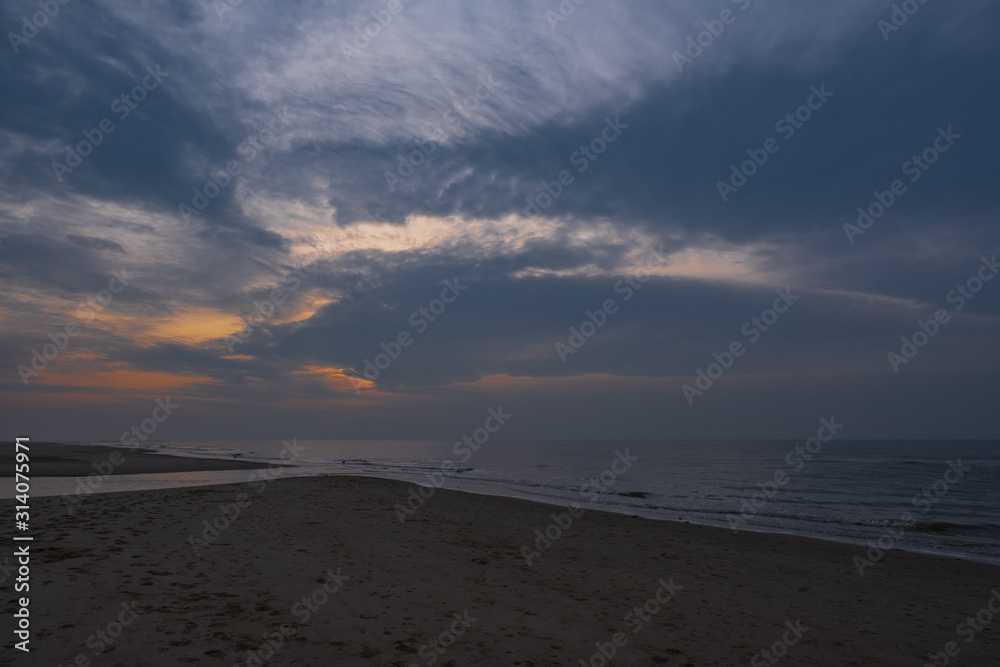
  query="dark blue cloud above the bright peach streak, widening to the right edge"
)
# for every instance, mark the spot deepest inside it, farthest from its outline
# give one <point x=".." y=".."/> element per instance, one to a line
<point x="684" y="135"/>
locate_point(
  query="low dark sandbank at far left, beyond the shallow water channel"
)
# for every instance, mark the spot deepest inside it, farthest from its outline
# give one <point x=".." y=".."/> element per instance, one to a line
<point x="55" y="460"/>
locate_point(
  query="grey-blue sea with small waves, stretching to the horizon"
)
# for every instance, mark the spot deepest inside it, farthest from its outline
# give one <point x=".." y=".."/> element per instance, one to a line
<point x="940" y="496"/>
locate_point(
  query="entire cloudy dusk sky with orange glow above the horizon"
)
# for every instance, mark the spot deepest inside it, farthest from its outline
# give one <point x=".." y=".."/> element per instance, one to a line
<point x="379" y="219"/>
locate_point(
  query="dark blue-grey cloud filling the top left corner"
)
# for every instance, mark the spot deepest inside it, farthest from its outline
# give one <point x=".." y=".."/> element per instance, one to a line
<point x="162" y="141"/>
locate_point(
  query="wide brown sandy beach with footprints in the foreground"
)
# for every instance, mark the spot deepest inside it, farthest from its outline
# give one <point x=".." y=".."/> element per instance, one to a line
<point x="378" y="592"/>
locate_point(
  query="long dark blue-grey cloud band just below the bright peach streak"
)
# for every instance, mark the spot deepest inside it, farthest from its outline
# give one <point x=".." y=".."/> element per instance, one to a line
<point x="669" y="327"/>
